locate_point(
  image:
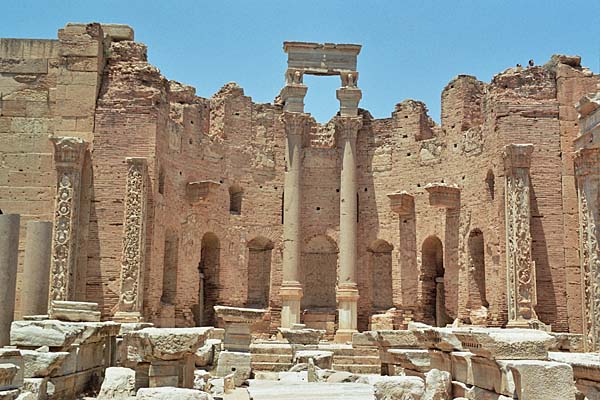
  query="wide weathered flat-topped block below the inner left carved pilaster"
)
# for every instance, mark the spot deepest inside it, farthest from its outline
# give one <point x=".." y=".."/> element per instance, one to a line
<point x="164" y="343"/>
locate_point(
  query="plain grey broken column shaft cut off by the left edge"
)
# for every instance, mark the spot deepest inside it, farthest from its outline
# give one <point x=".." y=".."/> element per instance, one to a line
<point x="9" y="257"/>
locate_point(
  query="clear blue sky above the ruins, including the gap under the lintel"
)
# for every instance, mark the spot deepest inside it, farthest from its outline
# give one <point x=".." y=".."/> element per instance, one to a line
<point x="411" y="49"/>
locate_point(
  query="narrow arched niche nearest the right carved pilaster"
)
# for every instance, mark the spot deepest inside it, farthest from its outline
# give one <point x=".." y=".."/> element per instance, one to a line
<point x="477" y="295"/>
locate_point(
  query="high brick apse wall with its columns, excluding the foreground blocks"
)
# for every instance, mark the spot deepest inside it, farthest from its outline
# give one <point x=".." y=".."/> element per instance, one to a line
<point x="166" y="204"/>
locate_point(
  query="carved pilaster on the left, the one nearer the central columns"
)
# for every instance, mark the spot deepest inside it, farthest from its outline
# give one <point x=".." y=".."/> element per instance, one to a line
<point x="131" y="296"/>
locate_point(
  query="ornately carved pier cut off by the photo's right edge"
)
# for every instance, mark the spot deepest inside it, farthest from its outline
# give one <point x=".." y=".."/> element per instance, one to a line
<point x="587" y="174"/>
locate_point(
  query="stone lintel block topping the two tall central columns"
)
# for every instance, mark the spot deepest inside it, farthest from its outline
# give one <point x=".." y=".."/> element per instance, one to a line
<point x="322" y="58"/>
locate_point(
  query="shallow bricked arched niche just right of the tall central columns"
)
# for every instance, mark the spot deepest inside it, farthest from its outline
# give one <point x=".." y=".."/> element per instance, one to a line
<point x="380" y="261"/>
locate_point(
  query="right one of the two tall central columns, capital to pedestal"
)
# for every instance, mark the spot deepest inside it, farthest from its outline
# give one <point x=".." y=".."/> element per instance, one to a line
<point x="347" y="290"/>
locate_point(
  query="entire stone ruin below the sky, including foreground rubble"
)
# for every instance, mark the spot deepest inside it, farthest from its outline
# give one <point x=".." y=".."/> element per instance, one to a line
<point x="159" y="245"/>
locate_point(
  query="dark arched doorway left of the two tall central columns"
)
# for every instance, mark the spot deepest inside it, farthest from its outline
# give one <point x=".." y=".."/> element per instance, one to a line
<point x="208" y="288"/>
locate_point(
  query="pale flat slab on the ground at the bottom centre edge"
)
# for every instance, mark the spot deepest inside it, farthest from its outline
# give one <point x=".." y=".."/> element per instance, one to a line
<point x="269" y="390"/>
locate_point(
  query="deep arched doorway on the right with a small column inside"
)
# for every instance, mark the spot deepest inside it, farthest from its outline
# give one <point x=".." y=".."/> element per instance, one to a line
<point x="432" y="276"/>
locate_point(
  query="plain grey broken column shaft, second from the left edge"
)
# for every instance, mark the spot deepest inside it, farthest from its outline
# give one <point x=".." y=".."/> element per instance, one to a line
<point x="36" y="268"/>
